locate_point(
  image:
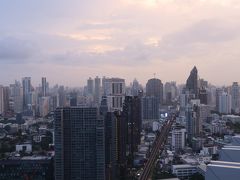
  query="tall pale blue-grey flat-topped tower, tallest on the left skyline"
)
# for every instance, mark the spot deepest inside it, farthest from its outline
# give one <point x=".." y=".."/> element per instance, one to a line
<point x="27" y="88"/>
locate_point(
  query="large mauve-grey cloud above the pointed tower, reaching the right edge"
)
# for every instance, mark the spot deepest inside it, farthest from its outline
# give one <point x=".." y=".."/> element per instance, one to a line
<point x="197" y="39"/>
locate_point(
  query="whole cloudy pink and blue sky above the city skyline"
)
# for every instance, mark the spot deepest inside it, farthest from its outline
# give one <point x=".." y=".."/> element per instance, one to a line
<point x="69" y="41"/>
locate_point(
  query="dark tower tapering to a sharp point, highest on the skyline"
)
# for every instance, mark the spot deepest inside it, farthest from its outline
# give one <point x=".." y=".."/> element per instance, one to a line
<point x="192" y="82"/>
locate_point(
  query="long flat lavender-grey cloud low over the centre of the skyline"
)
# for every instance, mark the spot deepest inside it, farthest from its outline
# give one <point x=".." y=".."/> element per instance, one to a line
<point x="135" y="54"/>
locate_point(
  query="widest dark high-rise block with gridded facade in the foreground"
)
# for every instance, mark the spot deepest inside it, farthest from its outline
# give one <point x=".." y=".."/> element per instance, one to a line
<point x="79" y="144"/>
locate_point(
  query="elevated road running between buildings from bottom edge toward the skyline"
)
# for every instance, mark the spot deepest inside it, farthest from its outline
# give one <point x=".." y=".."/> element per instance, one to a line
<point x="157" y="148"/>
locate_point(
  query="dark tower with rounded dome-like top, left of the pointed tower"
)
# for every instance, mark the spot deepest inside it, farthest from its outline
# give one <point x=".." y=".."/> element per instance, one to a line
<point x="154" y="88"/>
